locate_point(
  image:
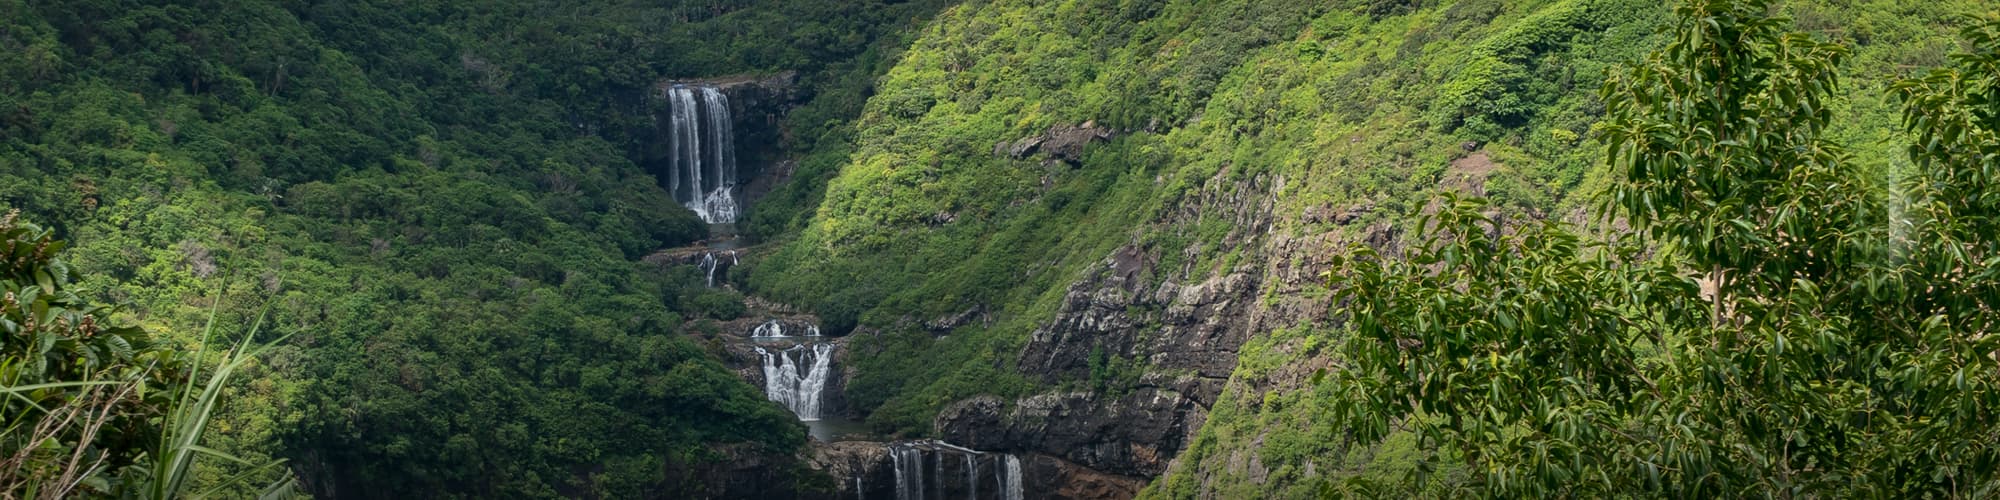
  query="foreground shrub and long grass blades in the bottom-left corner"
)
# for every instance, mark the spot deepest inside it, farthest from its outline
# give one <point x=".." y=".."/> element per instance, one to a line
<point x="95" y="407"/>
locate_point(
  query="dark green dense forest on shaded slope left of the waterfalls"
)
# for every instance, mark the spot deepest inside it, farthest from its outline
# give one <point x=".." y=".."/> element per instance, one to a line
<point x="437" y="203"/>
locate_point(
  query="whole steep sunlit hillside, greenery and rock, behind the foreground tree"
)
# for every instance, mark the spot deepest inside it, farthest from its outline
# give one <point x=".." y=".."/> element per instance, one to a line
<point x="1097" y="231"/>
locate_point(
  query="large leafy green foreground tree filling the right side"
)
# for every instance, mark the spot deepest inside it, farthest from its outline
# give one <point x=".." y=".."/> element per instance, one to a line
<point x="1775" y="325"/>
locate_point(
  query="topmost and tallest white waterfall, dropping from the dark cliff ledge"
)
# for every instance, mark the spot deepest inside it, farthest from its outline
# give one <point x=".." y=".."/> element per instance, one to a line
<point x="703" y="175"/>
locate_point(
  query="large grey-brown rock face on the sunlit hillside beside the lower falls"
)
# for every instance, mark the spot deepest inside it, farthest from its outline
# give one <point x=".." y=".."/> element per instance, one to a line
<point x="1177" y="327"/>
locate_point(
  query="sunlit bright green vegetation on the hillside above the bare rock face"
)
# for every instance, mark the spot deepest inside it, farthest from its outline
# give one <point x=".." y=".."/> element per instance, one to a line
<point x="1211" y="103"/>
